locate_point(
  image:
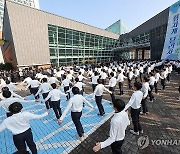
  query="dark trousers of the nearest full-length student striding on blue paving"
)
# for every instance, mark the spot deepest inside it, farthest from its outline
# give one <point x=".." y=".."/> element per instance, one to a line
<point x="76" y="116"/>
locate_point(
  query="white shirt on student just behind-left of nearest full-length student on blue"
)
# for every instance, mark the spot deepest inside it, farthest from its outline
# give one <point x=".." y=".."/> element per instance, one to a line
<point x="55" y="95"/>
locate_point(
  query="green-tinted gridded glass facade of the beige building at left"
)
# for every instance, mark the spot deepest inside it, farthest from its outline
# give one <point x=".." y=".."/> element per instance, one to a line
<point x="68" y="46"/>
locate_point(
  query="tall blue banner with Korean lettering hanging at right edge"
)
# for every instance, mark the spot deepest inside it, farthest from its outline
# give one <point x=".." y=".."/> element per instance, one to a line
<point x="171" y="50"/>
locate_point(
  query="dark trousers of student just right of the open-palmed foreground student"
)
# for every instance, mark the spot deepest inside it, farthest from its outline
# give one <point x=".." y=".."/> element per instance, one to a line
<point x="135" y="119"/>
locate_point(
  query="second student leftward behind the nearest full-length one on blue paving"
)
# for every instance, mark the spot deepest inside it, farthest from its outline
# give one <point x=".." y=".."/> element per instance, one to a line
<point x="45" y="88"/>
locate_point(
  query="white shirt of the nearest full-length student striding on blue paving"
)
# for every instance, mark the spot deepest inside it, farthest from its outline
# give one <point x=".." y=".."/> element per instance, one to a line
<point x="76" y="105"/>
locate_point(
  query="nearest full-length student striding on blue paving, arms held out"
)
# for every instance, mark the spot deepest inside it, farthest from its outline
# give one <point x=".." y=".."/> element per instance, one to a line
<point x="76" y="105"/>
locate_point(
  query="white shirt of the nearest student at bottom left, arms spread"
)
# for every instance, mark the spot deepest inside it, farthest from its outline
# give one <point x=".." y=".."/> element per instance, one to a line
<point x="19" y="123"/>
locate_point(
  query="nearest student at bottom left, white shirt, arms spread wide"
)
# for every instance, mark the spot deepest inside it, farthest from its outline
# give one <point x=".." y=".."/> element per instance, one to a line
<point x="19" y="125"/>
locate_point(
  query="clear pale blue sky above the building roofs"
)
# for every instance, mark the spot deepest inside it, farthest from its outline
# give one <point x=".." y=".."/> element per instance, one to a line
<point x="103" y="13"/>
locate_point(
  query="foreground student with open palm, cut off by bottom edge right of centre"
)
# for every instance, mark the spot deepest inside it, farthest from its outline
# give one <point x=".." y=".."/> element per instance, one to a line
<point x="118" y="125"/>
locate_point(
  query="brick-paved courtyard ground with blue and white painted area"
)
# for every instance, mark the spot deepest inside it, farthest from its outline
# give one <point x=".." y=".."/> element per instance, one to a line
<point x="163" y="123"/>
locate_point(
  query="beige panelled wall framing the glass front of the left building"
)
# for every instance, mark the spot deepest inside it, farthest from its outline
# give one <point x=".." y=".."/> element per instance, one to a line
<point x="30" y="32"/>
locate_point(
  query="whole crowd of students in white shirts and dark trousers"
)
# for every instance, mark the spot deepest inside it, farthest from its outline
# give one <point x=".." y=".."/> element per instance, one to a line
<point x="143" y="77"/>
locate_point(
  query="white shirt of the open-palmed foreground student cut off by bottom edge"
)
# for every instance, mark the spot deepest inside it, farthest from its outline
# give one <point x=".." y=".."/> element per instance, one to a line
<point x="119" y="123"/>
